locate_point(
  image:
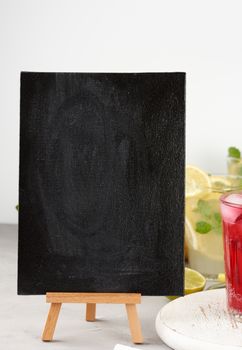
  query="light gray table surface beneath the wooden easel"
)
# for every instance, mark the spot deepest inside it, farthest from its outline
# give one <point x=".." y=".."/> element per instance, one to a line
<point x="22" y="318"/>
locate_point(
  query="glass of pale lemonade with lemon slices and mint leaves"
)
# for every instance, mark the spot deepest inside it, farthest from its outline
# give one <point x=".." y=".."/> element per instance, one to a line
<point x="203" y="223"/>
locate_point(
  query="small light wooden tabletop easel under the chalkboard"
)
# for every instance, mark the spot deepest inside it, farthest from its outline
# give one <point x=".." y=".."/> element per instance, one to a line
<point x="91" y="299"/>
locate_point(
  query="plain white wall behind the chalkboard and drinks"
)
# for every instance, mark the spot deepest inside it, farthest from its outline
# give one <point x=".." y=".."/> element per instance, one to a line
<point x="200" y="37"/>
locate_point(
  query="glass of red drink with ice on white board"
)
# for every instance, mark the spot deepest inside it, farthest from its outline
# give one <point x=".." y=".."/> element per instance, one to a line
<point x="231" y="208"/>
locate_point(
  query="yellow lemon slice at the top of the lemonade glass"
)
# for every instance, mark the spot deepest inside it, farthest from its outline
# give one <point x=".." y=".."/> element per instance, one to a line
<point x="197" y="181"/>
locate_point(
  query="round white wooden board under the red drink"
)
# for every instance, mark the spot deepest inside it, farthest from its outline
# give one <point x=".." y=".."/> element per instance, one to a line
<point x="199" y="321"/>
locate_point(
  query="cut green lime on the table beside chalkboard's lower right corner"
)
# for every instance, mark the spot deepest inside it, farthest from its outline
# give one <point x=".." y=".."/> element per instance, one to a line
<point x="194" y="282"/>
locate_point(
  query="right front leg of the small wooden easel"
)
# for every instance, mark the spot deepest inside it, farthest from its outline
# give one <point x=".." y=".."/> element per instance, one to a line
<point x="134" y="324"/>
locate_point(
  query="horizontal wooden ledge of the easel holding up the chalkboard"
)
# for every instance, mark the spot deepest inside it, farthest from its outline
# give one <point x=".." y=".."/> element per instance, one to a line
<point x="101" y="298"/>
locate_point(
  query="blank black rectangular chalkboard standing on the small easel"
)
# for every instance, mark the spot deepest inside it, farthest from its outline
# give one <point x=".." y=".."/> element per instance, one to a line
<point x="101" y="183"/>
